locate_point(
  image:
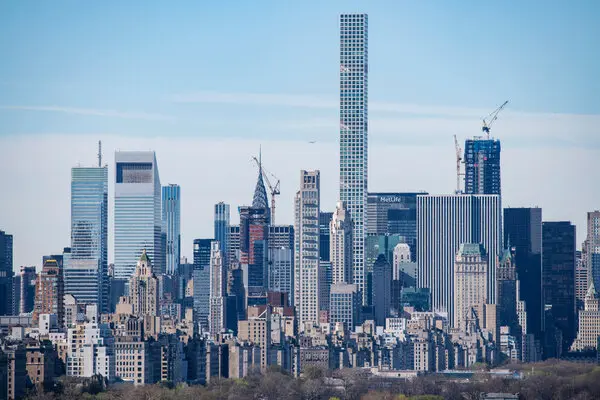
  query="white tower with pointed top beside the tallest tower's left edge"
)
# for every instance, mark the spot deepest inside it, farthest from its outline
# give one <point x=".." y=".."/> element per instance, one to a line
<point x="340" y="245"/>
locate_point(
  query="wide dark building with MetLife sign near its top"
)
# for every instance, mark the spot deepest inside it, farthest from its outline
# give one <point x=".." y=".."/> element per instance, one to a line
<point x="393" y="214"/>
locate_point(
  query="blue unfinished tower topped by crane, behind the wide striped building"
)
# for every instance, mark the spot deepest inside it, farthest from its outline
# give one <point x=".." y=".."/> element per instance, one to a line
<point x="482" y="166"/>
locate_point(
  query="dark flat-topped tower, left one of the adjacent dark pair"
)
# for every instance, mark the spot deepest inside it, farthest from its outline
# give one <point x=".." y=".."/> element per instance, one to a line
<point x="523" y="229"/>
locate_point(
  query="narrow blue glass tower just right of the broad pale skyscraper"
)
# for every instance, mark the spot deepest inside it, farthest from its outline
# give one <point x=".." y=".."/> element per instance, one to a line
<point x="171" y="219"/>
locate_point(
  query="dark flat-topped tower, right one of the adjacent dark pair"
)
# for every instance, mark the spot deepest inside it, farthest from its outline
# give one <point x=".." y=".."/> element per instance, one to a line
<point x="558" y="276"/>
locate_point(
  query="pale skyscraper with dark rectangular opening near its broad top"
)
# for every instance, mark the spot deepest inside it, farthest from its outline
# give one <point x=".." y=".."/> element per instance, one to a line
<point x="138" y="224"/>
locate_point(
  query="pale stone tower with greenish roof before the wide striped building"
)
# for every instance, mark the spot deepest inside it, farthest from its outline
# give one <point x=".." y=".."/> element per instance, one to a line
<point x="470" y="284"/>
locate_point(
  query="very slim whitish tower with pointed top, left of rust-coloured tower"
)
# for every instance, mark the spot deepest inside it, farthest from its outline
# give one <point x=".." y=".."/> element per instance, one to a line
<point x="218" y="290"/>
